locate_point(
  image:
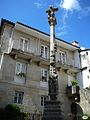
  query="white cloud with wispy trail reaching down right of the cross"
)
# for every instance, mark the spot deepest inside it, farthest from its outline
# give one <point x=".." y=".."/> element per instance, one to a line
<point x="68" y="7"/>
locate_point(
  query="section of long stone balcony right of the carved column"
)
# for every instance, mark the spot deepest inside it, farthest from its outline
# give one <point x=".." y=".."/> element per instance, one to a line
<point x="67" y="67"/>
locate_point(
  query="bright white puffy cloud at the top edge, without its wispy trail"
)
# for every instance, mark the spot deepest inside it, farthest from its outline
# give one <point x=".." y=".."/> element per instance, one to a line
<point x="70" y="5"/>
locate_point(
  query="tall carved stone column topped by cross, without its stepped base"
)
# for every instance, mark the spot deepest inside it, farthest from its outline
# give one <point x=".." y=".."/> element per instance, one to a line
<point x="53" y="85"/>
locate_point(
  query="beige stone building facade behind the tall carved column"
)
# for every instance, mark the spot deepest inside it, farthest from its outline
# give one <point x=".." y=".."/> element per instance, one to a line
<point x="24" y="67"/>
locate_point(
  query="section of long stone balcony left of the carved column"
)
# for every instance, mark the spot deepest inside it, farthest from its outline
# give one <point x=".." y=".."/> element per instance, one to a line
<point x="29" y="57"/>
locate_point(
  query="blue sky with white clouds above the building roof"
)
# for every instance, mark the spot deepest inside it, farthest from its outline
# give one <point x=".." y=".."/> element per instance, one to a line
<point x="73" y="17"/>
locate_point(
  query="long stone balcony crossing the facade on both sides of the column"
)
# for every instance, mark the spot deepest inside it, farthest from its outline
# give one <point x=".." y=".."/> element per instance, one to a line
<point x="31" y="57"/>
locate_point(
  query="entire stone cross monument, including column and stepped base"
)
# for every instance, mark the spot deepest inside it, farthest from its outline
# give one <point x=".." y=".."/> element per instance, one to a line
<point x="52" y="109"/>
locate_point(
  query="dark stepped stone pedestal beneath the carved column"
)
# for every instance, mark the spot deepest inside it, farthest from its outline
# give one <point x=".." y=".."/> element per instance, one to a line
<point x="52" y="111"/>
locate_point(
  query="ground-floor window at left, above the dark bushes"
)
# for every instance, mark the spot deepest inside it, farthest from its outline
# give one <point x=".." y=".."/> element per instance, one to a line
<point x="18" y="98"/>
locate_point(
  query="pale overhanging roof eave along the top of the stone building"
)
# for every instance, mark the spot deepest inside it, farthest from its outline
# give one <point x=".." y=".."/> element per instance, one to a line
<point x="39" y="34"/>
